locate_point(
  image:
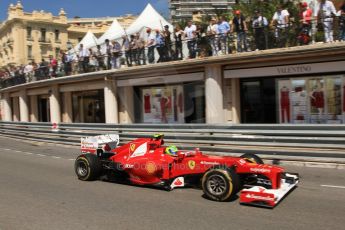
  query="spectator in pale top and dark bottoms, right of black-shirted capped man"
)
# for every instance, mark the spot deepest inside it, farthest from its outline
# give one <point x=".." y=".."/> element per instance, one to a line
<point x="259" y="25"/>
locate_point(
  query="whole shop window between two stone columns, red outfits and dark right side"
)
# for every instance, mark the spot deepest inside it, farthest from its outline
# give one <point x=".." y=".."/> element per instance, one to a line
<point x="170" y="104"/>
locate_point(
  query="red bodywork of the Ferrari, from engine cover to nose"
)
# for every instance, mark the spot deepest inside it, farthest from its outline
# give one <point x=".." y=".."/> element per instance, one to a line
<point x="146" y="163"/>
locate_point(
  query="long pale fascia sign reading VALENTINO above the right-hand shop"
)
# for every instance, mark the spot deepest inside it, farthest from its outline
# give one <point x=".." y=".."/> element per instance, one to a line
<point x="323" y="67"/>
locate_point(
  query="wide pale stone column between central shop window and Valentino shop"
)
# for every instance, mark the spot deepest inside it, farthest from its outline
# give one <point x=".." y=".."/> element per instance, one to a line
<point x="214" y="94"/>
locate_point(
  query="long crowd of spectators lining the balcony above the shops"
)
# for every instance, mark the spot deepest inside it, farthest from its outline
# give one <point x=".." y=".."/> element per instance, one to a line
<point x="218" y="38"/>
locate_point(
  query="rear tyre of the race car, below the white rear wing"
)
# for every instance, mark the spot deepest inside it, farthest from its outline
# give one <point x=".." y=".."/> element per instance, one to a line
<point x="87" y="167"/>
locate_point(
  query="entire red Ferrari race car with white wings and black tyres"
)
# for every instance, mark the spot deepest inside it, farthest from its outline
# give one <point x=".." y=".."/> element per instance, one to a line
<point x="146" y="161"/>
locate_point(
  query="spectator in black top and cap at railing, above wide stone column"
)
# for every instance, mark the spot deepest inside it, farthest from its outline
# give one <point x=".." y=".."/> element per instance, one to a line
<point x="240" y="27"/>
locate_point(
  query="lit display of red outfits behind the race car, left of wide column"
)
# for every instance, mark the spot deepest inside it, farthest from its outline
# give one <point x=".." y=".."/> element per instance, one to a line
<point x="163" y="104"/>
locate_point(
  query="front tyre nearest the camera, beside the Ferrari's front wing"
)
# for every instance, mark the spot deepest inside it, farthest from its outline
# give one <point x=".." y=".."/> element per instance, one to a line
<point x="220" y="184"/>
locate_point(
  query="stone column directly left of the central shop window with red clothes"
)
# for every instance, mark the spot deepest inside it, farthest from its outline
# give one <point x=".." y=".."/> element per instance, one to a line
<point x="126" y="113"/>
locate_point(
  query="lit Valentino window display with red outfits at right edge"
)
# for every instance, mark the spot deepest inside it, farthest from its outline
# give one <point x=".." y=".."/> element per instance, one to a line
<point x="316" y="100"/>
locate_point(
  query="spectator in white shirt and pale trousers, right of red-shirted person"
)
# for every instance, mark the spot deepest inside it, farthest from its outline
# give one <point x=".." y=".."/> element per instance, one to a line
<point x="324" y="11"/>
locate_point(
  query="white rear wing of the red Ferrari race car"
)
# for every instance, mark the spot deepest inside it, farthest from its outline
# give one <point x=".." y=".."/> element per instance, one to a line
<point x="99" y="144"/>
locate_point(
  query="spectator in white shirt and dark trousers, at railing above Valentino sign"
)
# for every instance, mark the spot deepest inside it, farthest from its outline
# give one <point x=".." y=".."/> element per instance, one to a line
<point x="281" y="22"/>
